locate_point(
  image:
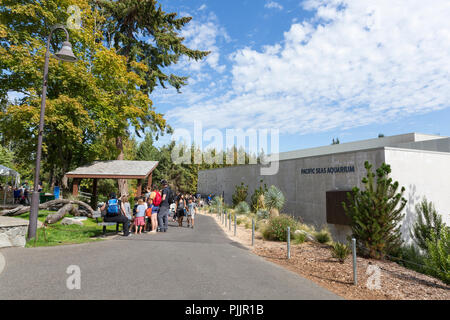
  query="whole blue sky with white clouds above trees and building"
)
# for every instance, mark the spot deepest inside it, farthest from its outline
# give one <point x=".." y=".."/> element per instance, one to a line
<point x="314" y="70"/>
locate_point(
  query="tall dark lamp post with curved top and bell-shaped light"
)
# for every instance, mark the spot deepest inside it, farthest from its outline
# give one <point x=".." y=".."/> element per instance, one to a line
<point x="65" y="54"/>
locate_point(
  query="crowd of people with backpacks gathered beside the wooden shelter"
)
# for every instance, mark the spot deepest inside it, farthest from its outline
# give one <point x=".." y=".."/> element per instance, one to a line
<point x="152" y="211"/>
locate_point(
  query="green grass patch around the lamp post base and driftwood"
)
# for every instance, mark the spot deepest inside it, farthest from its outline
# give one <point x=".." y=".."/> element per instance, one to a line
<point x="58" y="234"/>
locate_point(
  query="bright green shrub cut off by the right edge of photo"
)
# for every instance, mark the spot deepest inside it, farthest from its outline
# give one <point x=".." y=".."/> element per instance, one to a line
<point x="438" y="257"/>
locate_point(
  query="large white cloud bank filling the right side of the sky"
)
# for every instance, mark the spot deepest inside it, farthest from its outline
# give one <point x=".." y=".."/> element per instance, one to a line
<point x="355" y="63"/>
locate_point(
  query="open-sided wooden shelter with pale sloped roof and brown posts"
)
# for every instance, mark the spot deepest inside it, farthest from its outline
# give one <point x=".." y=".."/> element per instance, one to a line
<point x="114" y="169"/>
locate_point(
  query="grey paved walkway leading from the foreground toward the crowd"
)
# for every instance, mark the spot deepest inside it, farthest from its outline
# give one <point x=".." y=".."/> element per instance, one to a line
<point x="180" y="264"/>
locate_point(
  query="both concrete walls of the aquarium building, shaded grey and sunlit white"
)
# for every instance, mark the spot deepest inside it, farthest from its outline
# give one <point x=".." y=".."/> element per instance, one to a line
<point x="422" y="173"/>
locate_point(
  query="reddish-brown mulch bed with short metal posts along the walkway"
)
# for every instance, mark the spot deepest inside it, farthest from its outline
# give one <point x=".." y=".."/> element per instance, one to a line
<point x="314" y="261"/>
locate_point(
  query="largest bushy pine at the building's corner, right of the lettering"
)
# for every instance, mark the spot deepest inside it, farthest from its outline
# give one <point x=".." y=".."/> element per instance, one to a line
<point x="376" y="213"/>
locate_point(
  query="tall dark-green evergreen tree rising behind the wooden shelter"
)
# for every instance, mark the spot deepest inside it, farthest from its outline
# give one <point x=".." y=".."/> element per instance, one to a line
<point x="142" y="32"/>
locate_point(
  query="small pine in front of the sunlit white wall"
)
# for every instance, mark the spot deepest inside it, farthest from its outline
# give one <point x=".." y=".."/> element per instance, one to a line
<point x="428" y="221"/>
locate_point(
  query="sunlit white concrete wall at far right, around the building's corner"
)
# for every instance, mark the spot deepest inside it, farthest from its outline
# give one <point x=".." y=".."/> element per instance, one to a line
<point x="422" y="173"/>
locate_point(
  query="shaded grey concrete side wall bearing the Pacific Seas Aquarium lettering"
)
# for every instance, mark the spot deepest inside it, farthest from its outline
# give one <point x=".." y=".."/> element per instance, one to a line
<point x="305" y="194"/>
